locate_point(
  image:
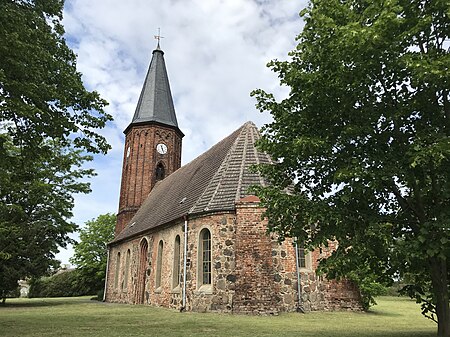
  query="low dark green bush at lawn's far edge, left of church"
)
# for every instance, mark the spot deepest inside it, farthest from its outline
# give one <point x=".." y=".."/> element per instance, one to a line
<point x="63" y="284"/>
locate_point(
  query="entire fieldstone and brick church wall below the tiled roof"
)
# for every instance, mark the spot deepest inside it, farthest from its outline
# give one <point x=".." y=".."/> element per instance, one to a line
<point x="251" y="272"/>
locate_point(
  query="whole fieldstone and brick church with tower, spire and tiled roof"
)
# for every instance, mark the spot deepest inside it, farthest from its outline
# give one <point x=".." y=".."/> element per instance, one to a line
<point x="192" y="237"/>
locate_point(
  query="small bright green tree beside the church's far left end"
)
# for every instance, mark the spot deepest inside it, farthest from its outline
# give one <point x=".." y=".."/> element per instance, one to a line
<point x="90" y="255"/>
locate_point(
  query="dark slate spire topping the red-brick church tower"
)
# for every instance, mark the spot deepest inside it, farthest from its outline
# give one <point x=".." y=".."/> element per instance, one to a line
<point x="155" y="102"/>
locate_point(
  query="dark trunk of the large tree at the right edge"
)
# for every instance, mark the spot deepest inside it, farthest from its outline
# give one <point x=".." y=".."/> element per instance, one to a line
<point x="439" y="280"/>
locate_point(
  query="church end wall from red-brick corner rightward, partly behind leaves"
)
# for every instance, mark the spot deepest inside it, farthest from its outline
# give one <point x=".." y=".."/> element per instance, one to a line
<point x="266" y="272"/>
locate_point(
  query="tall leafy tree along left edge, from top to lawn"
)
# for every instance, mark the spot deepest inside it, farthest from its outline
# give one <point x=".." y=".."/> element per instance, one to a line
<point x="48" y="124"/>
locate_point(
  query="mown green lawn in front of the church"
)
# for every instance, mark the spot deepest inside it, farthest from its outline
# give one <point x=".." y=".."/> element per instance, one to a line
<point x="393" y="317"/>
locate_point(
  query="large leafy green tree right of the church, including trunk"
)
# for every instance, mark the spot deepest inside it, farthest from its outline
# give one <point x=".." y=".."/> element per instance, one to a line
<point x="363" y="139"/>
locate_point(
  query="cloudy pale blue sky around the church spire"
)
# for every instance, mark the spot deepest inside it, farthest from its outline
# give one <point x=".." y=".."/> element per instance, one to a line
<point x="215" y="51"/>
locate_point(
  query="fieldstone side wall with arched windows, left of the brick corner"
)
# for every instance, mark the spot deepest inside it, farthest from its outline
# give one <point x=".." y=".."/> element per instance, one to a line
<point x="216" y="297"/>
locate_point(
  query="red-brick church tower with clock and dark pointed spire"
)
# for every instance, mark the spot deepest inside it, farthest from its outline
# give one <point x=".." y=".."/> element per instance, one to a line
<point x="152" y="142"/>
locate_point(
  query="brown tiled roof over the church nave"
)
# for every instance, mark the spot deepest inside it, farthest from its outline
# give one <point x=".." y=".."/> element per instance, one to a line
<point x="214" y="181"/>
